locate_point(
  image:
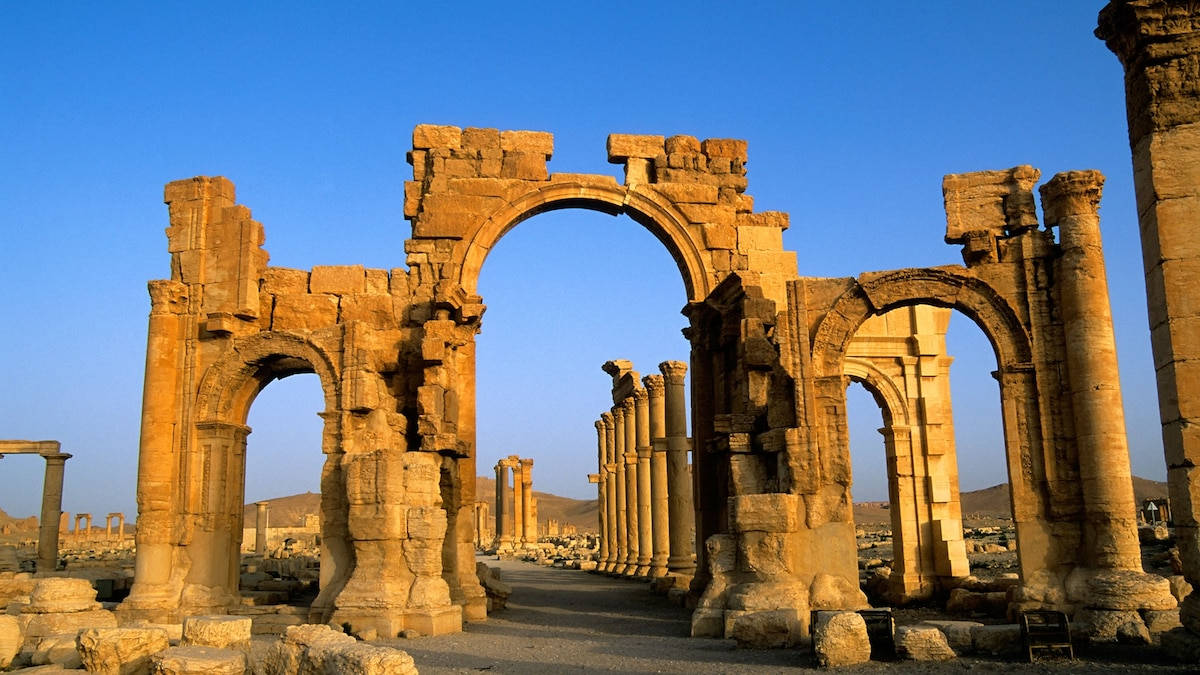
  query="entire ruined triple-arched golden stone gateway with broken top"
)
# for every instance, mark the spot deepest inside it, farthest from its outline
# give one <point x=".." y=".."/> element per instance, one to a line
<point x="395" y="353"/>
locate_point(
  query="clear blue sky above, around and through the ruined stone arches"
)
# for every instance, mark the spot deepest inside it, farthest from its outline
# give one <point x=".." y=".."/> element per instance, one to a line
<point x="854" y="112"/>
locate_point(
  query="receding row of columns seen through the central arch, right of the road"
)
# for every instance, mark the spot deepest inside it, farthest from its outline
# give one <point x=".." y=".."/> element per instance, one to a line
<point x="644" y="483"/>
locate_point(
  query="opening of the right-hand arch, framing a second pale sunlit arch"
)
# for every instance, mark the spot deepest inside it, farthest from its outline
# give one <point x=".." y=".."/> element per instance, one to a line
<point x="904" y="359"/>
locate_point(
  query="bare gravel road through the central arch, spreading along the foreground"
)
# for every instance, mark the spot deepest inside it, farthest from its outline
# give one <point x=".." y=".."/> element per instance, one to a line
<point x="569" y="622"/>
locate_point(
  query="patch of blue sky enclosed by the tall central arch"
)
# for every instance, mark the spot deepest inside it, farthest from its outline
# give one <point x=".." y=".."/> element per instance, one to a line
<point x="566" y="292"/>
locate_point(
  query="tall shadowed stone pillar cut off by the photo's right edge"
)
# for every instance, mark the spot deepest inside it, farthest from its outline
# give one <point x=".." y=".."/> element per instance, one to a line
<point x="1159" y="44"/>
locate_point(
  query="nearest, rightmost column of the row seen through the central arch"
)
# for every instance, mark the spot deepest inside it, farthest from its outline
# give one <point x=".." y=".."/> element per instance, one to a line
<point x="680" y="506"/>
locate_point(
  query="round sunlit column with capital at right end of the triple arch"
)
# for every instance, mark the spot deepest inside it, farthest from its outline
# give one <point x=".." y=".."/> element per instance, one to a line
<point x="1071" y="201"/>
